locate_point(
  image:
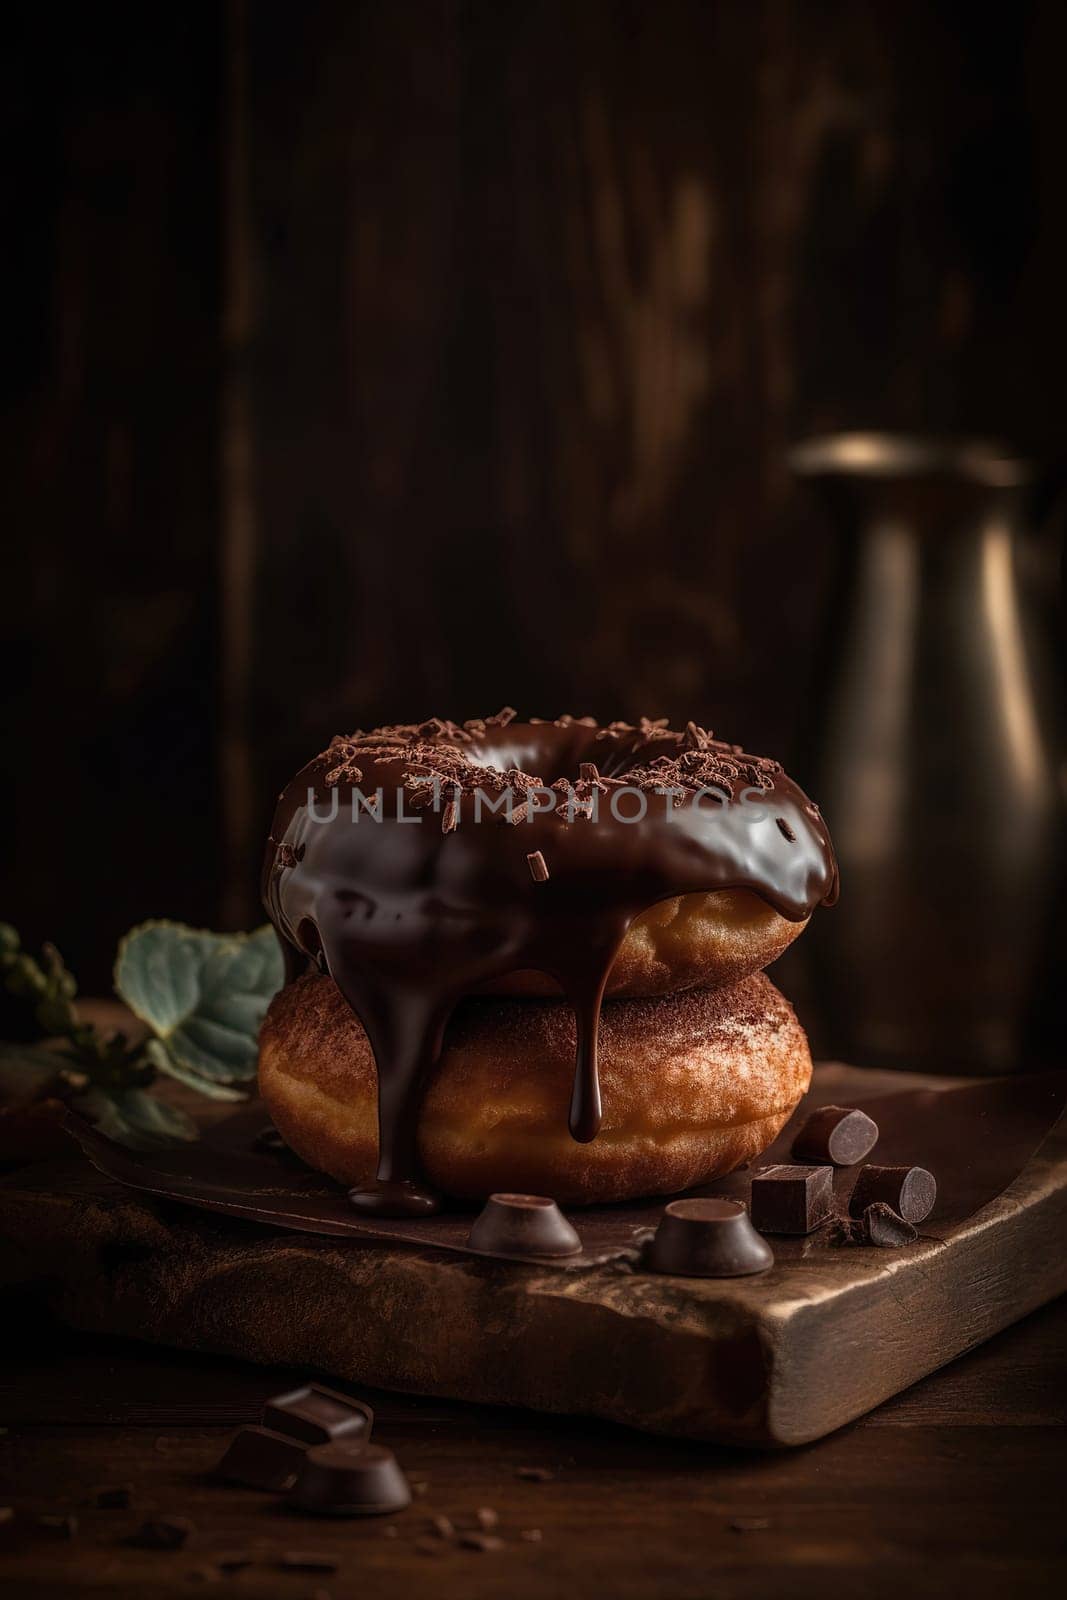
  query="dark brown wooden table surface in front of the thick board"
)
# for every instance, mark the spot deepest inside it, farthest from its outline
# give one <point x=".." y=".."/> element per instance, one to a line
<point x="954" y="1487"/>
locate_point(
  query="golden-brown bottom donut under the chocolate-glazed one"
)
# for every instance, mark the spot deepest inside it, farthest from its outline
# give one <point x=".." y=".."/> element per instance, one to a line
<point x="693" y="1086"/>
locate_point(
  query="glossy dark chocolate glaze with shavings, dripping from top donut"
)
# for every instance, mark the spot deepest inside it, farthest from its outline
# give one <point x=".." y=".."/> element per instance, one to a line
<point x="417" y="865"/>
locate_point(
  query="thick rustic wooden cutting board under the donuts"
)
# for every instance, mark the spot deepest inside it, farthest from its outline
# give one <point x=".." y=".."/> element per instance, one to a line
<point x="780" y="1359"/>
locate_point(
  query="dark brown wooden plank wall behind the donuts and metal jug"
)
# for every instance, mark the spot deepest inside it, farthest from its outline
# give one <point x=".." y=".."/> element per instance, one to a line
<point x="369" y="361"/>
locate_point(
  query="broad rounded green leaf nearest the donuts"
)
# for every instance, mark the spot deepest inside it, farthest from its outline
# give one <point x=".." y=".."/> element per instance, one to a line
<point x="202" y="994"/>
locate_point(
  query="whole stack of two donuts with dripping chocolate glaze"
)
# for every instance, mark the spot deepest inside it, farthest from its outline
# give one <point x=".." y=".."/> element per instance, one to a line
<point x="530" y="956"/>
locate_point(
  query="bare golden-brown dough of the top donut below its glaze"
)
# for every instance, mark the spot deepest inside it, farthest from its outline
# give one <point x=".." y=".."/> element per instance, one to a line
<point x="689" y="942"/>
